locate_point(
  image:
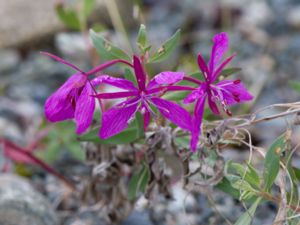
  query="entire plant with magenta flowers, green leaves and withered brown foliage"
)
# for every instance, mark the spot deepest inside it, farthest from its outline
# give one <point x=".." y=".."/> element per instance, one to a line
<point x="144" y="141"/>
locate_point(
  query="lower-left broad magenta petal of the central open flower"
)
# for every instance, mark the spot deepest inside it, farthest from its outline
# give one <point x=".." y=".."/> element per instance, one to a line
<point x="117" y="118"/>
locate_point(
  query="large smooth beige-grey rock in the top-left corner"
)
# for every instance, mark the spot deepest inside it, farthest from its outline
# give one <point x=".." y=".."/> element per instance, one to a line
<point x="23" y="21"/>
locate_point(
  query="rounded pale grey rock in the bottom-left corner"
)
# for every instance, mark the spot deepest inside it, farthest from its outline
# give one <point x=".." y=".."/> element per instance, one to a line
<point x="21" y="204"/>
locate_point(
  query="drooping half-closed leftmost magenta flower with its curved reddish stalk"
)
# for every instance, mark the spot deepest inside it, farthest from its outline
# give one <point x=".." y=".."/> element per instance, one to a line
<point x="73" y="99"/>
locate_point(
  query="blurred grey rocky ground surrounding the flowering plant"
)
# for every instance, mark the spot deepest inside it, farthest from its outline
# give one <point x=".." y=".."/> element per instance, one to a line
<point x="264" y="33"/>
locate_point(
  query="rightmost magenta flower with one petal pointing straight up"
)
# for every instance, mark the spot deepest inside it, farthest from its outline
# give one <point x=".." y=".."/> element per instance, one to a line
<point x="224" y="93"/>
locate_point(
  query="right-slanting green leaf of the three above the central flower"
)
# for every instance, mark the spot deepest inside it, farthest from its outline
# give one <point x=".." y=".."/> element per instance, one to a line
<point x="166" y="49"/>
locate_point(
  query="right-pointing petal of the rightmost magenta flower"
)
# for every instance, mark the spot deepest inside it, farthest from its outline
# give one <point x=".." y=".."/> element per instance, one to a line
<point x="233" y="92"/>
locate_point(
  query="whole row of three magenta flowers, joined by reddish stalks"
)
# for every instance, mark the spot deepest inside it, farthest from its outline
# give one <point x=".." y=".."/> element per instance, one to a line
<point x="76" y="98"/>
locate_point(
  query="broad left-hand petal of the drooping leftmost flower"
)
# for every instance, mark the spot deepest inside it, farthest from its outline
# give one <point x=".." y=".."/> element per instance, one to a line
<point x="59" y="106"/>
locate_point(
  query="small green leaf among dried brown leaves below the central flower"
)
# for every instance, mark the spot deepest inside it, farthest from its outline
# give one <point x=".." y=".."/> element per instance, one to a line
<point x="138" y="182"/>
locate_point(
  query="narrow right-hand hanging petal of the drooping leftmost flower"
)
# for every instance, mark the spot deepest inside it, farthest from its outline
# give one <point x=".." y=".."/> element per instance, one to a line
<point x="85" y="107"/>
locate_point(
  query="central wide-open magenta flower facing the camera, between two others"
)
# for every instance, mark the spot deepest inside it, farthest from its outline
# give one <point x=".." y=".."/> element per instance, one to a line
<point x="141" y="99"/>
